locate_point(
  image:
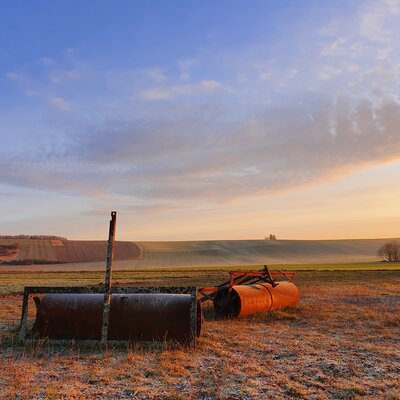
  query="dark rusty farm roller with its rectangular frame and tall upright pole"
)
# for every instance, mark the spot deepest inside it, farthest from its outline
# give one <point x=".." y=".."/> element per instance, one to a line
<point x="121" y="313"/>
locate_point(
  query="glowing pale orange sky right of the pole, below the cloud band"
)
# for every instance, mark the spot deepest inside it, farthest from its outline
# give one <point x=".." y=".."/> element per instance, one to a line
<point x="361" y="205"/>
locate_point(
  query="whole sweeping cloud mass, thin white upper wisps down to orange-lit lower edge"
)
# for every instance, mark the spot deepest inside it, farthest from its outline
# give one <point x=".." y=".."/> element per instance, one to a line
<point x="177" y="141"/>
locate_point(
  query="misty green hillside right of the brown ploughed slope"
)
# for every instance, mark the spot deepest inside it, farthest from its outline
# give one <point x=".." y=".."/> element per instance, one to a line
<point x="251" y="252"/>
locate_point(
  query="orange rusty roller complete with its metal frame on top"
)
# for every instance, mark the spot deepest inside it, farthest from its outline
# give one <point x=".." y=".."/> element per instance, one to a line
<point x="251" y="292"/>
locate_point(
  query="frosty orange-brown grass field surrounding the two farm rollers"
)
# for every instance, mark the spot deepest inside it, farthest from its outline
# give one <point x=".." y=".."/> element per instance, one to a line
<point x="341" y="342"/>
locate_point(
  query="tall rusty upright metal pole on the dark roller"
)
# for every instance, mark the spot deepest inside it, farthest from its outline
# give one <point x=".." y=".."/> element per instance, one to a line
<point x="107" y="281"/>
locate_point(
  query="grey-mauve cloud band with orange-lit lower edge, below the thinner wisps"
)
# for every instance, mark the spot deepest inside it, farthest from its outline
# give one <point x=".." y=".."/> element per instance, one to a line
<point x="190" y="161"/>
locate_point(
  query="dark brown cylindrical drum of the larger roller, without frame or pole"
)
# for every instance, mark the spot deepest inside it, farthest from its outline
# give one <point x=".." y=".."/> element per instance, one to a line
<point x="132" y="317"/>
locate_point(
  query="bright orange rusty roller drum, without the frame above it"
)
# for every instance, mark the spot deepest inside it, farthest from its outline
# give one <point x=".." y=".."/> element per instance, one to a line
<point x="241" y="300"/>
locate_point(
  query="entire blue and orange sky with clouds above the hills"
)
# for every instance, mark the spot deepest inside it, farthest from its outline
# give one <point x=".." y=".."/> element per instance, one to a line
<point x="200" y="120"/>
